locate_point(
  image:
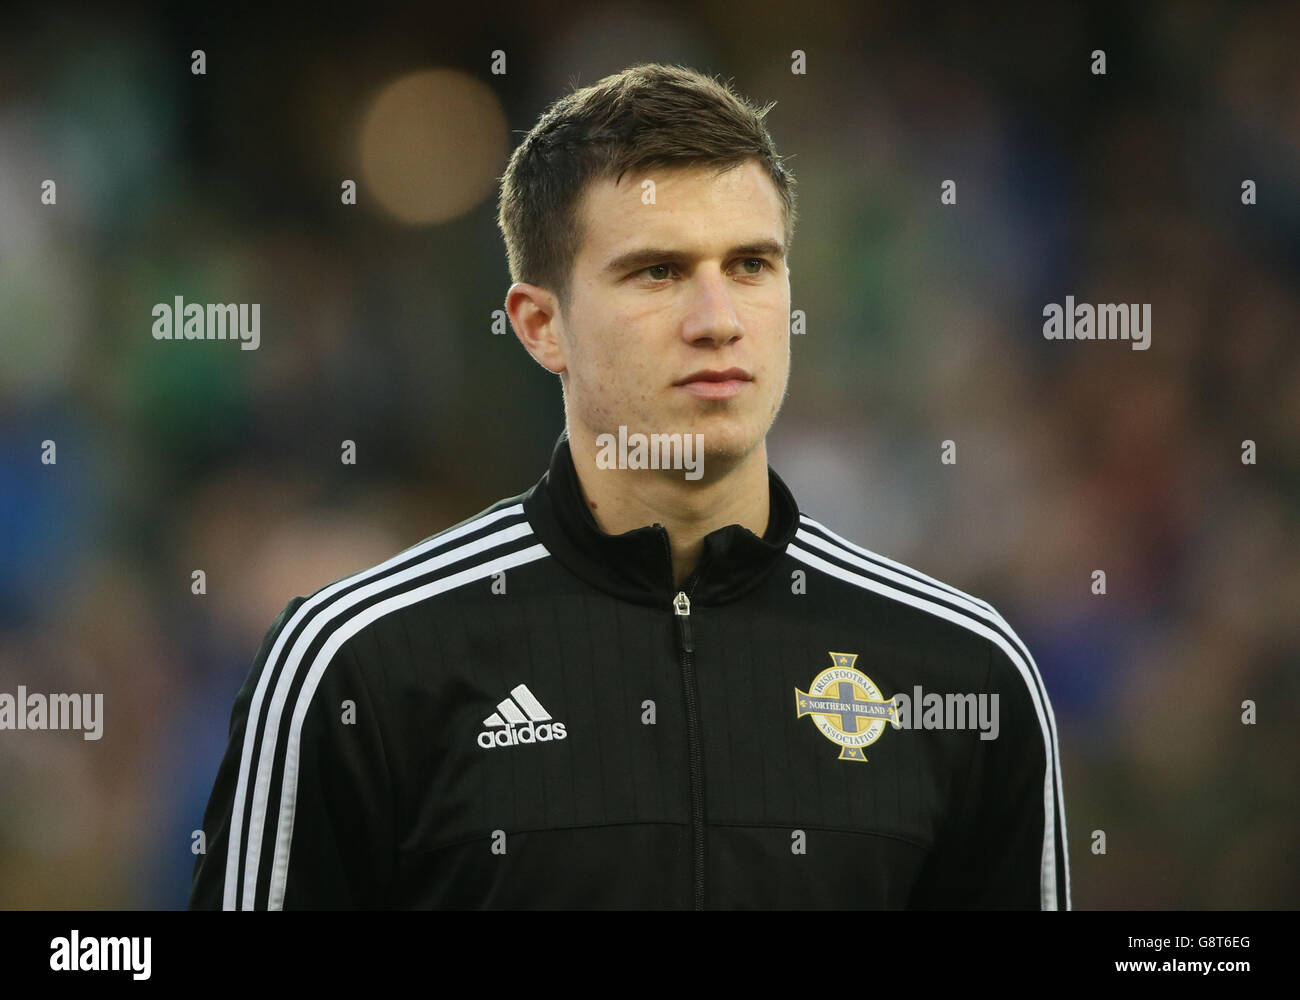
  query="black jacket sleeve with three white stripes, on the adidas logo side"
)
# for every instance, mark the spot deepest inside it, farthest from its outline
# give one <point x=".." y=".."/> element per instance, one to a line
<point x="301" y="815"/>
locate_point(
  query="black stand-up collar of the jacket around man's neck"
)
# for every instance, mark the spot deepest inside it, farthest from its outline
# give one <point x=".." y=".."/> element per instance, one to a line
<point x="636" y="566"/>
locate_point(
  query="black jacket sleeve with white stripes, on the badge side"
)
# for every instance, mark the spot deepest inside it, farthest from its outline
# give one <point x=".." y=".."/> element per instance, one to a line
<point x="1006" y="847"/>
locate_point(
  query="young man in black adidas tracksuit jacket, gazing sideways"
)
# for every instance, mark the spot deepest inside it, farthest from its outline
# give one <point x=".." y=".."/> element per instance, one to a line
<point x="648" y="682"/>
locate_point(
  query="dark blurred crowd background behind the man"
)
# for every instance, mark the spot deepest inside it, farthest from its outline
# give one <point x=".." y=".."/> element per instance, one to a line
<point x="925" y="323"/>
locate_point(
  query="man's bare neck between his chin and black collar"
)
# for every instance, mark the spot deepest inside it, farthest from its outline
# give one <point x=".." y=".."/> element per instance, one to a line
<point x="625" y="500"/>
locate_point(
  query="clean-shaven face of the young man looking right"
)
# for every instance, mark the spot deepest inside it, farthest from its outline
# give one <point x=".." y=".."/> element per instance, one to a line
<point x="679" y="311"/>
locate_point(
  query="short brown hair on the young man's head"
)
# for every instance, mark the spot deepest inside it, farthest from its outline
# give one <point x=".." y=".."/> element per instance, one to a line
<point x="649" y="115"/>
